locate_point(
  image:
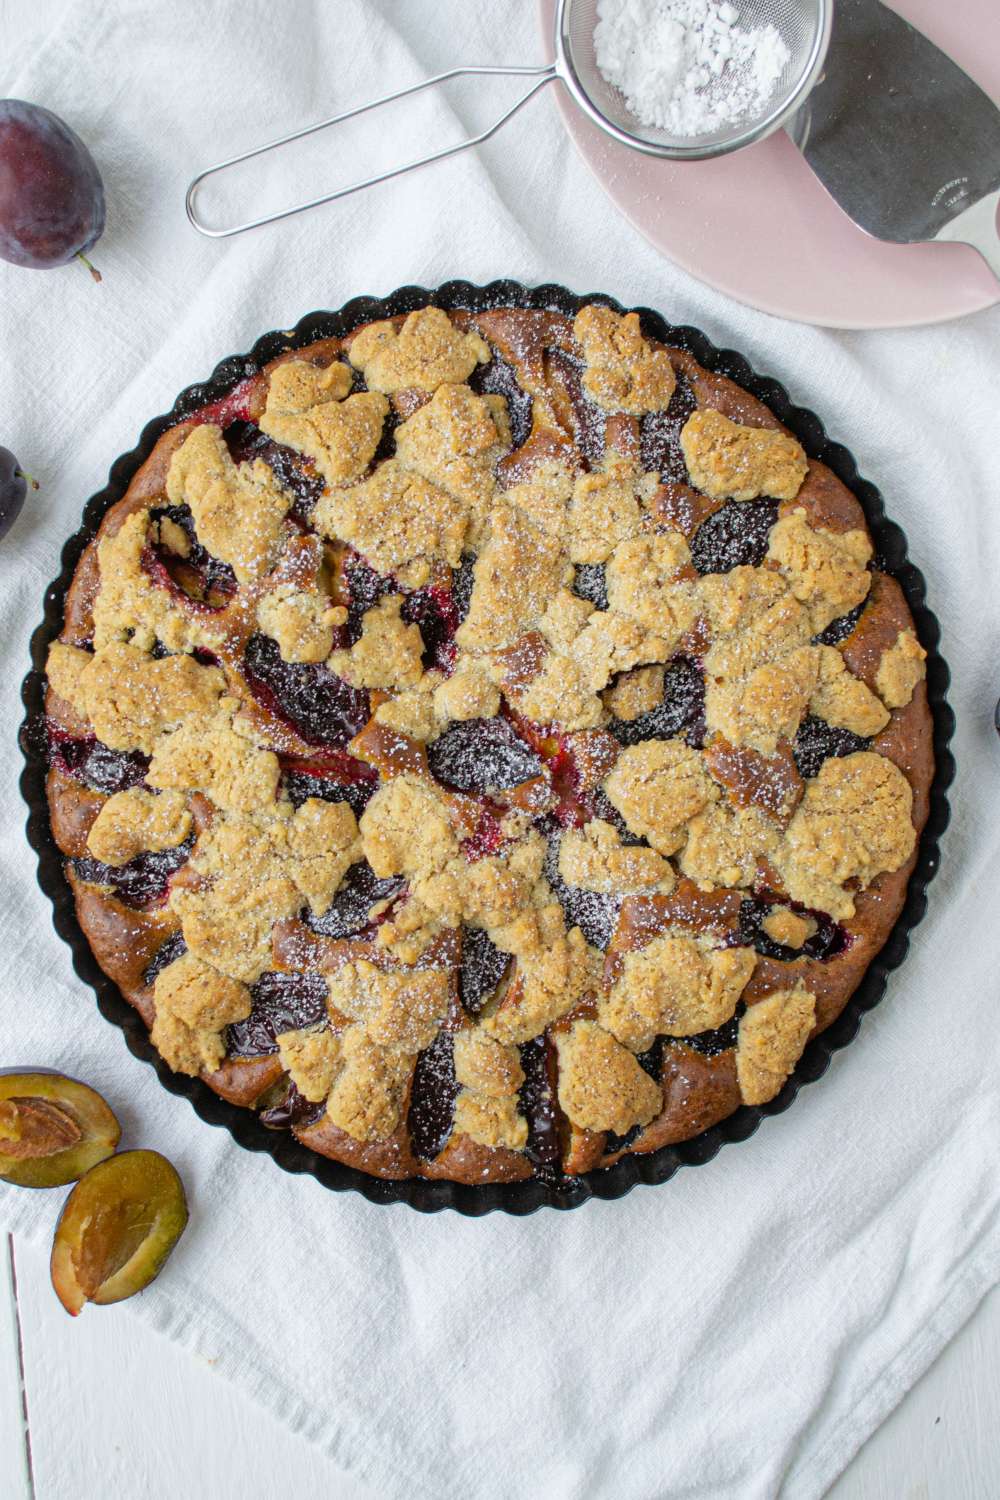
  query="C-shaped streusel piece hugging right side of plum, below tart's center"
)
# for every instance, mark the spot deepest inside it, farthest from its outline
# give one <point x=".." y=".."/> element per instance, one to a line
<point x="552" y="973"/>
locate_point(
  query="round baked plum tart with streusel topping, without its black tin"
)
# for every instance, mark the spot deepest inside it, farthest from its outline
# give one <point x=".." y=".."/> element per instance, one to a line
<point x="487" y="745"/>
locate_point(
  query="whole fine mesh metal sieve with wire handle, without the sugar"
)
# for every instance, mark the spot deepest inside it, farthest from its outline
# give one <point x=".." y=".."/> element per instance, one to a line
<point x="803" y="25"/>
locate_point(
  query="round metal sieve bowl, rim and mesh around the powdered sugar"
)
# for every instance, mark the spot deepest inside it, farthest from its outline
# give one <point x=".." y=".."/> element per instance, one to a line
<point x="803" y="25"/>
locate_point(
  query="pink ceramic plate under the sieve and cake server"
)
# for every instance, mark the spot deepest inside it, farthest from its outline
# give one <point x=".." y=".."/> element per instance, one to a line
<point x="759" y="227"/>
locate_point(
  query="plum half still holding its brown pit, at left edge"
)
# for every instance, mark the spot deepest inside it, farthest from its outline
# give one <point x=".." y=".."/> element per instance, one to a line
<point x="53" y="1130"/>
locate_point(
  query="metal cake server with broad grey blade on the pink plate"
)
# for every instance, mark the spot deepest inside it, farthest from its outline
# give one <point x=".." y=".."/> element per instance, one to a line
<point x="902" y="137"/>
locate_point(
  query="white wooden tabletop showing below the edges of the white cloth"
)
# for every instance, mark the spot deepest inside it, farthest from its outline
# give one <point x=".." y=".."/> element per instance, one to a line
<point x="118" y="1411"/>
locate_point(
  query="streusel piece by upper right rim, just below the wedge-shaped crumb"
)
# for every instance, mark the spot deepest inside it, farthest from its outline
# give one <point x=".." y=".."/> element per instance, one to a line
<point x="825" y="571"/>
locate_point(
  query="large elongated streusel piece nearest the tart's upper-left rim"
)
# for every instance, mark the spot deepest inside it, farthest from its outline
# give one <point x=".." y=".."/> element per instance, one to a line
<point x="238" y="511"/>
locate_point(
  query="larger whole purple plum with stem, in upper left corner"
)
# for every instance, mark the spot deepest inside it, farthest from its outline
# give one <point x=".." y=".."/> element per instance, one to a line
<point x="52" y="196"/>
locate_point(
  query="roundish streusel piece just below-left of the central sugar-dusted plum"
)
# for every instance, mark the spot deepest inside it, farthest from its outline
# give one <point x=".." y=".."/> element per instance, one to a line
<point x="406" y="830"/>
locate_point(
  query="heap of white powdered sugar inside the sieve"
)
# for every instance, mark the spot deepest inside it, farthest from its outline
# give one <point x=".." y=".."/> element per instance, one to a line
<point x="687" y="67"/>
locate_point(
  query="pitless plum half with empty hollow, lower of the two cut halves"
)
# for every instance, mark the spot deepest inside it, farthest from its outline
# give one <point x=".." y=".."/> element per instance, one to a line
<point x="118" y="1229"/>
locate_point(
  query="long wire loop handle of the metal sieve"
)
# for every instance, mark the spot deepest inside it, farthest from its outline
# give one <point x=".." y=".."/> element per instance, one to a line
<point x="542" y="74"/>
